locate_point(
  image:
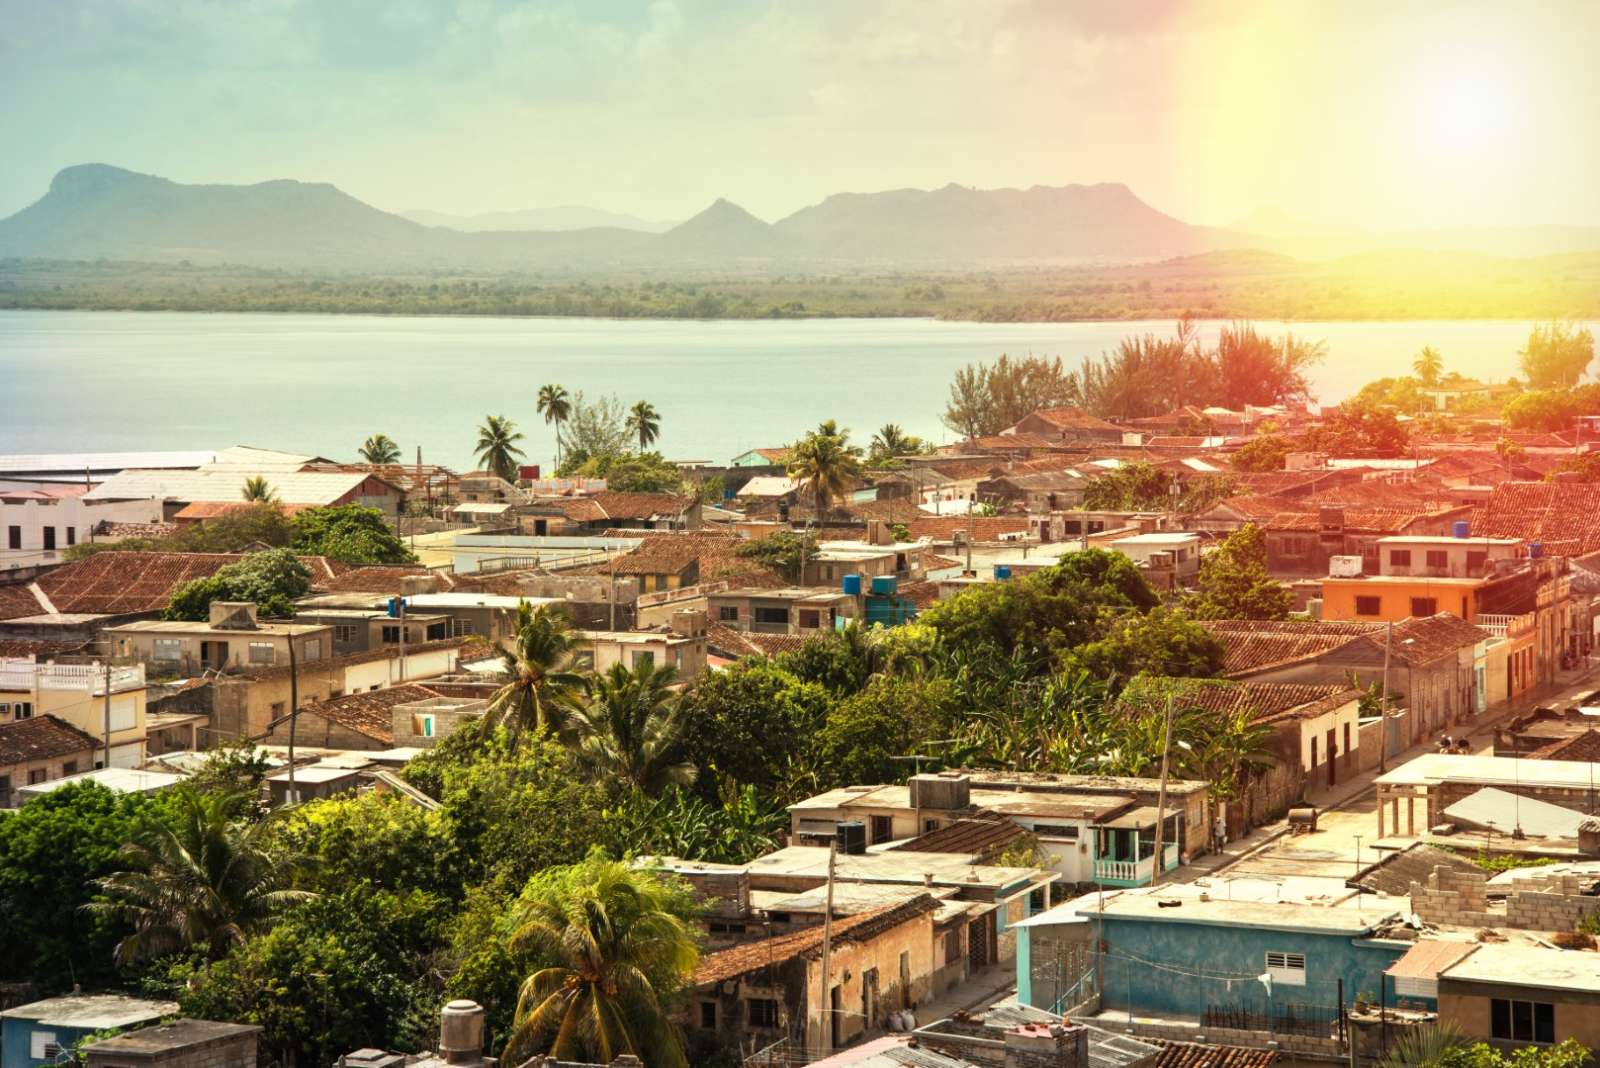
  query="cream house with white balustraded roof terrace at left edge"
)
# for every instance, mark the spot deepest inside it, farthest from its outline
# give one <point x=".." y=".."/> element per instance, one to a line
<point x="78" y="695"/>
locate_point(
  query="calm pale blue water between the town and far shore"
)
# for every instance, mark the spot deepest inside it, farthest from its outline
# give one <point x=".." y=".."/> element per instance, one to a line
<point x="82" y="381"/>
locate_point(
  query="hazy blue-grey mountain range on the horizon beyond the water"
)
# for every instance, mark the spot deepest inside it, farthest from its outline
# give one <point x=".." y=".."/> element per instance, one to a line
<point x="100" y="212"/>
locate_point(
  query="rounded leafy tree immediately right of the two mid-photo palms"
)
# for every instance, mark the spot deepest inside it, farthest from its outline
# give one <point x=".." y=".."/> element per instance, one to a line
<point x="748" y="725"/>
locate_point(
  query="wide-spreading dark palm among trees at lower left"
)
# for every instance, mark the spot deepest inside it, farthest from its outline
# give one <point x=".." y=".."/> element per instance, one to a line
<point x="201" y="879"/>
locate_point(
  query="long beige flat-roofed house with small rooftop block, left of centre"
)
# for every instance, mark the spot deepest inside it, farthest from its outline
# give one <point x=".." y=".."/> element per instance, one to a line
<point x="231" y="639"/>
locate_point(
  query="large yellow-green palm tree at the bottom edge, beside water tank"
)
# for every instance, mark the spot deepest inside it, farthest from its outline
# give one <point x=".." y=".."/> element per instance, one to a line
<point x="617" y="949"/>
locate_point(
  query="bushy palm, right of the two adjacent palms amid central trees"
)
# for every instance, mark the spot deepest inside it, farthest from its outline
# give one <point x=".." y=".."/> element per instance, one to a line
<point x="630" y="728"/>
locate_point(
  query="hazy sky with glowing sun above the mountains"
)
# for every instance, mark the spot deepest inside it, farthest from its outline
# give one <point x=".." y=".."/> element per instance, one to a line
<point x="1385" y="113"/>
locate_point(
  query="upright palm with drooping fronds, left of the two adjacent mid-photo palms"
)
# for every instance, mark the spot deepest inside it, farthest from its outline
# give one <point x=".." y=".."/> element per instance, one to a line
<point x="540" y="663"/>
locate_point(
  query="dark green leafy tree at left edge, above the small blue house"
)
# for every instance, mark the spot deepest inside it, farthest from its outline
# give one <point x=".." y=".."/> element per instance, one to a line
<point x="52" y="853"/>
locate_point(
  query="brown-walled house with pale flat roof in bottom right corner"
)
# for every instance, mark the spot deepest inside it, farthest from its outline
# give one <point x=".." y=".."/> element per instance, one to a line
<point x="1522" y="995"/>
